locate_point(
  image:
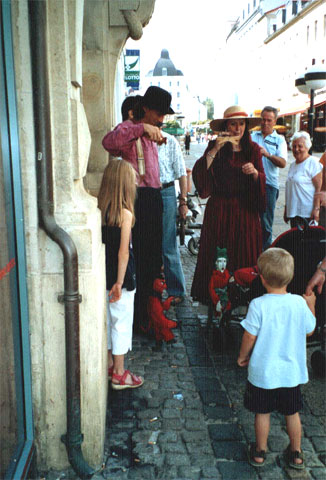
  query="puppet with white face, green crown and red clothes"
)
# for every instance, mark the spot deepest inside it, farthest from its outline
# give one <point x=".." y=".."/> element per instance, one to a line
<point x="218" y="284"/>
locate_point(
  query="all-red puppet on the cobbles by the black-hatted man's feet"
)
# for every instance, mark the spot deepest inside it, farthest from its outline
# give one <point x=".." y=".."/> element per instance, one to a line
<point x="161" y="325"/>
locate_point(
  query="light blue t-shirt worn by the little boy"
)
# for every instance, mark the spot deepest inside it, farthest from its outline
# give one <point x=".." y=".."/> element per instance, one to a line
<point x="281" y="323"/>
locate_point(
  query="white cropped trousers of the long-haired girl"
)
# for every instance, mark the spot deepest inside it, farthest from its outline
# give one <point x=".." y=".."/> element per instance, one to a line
<point x="120" y="316"/>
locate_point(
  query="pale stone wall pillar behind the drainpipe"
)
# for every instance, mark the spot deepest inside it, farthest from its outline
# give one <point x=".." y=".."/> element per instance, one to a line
<point x="77" y="213"/>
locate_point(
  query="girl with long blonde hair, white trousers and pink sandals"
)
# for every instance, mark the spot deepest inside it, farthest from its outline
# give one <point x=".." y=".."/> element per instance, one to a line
<point x="116" y="201"/>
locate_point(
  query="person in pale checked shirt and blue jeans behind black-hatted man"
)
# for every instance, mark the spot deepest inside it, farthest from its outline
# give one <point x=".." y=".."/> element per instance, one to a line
<point x="172" y="167"/>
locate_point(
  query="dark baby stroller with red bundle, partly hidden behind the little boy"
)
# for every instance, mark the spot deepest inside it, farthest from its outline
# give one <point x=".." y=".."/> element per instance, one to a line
<point x="307" y="245"/>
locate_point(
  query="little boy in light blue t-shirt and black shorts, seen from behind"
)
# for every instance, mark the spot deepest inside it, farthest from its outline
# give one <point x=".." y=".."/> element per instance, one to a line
<point x="274" y="347"/>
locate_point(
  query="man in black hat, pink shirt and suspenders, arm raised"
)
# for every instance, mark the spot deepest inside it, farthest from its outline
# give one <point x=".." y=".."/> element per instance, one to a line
<point x="147" y="118"/>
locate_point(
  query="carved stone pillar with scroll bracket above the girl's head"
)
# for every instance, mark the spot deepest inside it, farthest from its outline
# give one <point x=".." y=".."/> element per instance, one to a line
<point x="109" y="24"/>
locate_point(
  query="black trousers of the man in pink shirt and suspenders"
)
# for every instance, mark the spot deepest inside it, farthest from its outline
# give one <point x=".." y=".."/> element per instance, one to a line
<point x="147" y="246"/>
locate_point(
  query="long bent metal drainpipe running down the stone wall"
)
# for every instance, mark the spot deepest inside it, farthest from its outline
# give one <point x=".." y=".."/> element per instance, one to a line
<point x="71" y="298"/>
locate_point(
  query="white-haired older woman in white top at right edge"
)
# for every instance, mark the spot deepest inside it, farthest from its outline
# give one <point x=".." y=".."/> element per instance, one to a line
<point x="304" y="180"/>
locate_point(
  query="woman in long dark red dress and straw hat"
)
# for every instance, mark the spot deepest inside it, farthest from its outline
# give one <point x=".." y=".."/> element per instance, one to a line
<point x="231" y="174"/>
